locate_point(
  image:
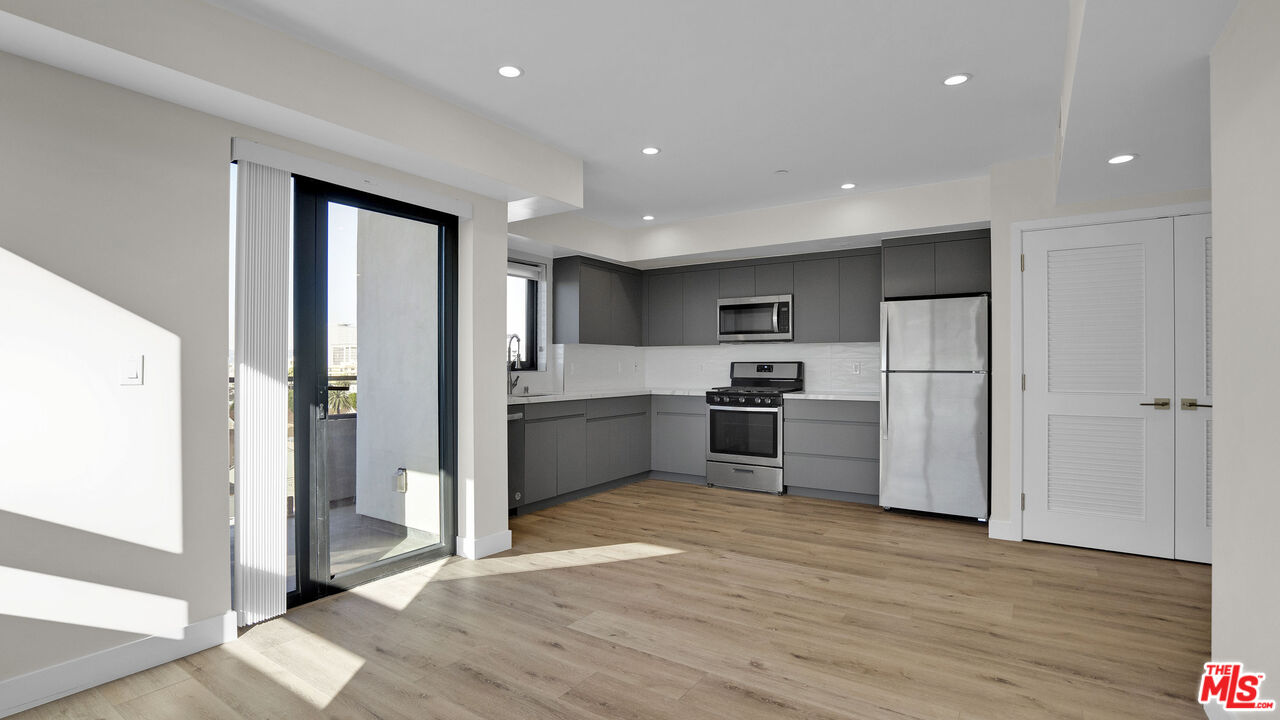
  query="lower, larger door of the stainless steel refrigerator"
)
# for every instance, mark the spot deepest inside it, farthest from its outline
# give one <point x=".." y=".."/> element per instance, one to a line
<point x="934" y="443"/>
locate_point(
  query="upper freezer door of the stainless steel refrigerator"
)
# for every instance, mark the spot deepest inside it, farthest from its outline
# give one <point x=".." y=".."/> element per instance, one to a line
<point x="935" y="335"/>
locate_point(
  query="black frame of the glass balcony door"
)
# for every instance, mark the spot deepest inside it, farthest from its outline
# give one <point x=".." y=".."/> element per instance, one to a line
<point x="312" y="199"/>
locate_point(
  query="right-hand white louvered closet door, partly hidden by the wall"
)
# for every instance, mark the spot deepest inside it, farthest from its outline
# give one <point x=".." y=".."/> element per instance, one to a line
<point x="1194" y="248"/>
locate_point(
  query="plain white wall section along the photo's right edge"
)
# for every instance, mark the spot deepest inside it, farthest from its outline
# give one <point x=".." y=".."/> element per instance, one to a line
<point x="1246" y="147"/>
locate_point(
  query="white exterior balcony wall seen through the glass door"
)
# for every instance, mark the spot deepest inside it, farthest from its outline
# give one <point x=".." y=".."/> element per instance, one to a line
<point x="399" y="388"/>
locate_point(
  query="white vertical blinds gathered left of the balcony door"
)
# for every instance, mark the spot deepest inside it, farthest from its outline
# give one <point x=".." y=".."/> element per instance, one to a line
<point x="263" y="207"/>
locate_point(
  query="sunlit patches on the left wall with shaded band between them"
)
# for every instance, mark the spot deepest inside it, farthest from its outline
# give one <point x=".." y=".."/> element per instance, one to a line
<point x="92" y="472"/>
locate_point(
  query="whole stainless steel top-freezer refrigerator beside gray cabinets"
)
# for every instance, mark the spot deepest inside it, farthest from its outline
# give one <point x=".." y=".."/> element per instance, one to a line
<point x="935" y="405"/>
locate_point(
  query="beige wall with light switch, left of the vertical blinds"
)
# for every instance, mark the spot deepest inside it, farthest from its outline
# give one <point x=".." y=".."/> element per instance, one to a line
<point x="126" y="200"/>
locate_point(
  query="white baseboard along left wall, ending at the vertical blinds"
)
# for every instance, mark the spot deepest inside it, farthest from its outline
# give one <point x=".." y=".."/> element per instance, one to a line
<point x="75" y="676"/>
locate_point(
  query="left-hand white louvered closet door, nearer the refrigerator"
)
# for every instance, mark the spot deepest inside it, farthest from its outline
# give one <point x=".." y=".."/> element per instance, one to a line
<point x="1099" y="344"/>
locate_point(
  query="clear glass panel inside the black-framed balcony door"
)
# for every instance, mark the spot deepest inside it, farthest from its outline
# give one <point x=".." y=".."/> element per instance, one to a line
<point x="382" y="436"/>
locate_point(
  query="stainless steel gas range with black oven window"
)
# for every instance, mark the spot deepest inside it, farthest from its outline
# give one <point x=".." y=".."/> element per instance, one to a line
<point x="744" y="426"/>
